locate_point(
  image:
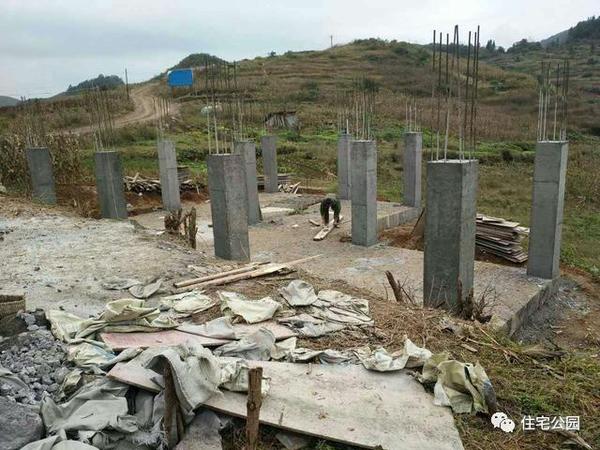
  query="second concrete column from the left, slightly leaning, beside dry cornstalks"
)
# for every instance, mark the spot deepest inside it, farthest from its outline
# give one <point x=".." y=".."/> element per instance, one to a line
<point x="109" y="185"/>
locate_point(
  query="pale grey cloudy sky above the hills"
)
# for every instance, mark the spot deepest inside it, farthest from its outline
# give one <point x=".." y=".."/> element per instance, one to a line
<point x="45" y="45"/>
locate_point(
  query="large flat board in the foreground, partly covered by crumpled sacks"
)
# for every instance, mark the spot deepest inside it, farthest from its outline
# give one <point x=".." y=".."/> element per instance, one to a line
<point x="349" y="404"/>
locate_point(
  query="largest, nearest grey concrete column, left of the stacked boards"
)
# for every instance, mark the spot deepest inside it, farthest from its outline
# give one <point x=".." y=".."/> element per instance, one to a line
<point x="450" y="214"/>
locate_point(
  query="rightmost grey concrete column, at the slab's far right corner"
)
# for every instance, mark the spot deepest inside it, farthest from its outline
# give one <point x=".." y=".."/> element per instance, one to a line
<point x="549" y="174"/>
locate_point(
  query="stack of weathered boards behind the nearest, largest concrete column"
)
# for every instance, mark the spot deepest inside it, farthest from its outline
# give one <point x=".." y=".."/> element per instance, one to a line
<point x="501" y="238"/>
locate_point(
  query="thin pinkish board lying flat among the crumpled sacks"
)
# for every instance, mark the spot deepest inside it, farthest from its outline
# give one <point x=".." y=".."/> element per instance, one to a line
<point x="122" y="341"/>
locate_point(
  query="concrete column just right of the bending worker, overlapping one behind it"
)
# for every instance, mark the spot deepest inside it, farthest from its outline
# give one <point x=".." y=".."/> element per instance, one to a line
<point x="363" y="161"/>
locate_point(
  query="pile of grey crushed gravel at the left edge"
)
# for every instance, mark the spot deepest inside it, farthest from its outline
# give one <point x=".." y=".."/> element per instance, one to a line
<point x="38" y="359"/>
